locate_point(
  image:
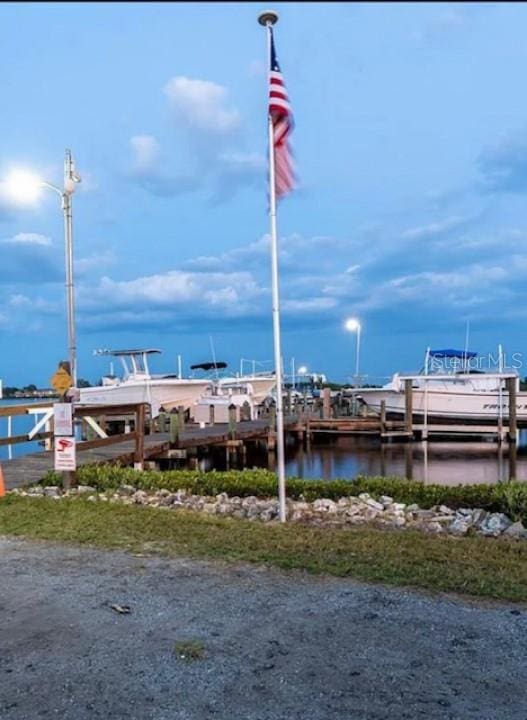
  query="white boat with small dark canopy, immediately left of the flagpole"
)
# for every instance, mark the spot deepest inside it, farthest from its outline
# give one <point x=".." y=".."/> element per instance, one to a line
<point x="249" y="390"/>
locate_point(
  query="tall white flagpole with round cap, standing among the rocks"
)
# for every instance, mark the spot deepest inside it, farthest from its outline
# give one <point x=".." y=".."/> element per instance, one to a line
<point x="268" y="19"/>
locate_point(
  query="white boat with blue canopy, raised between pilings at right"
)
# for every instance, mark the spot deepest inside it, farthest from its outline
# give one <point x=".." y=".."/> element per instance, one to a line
<point x="462" y="393"/>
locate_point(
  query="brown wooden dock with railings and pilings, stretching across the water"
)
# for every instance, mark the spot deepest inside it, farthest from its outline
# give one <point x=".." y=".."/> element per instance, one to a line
<point x="169" y="438"/>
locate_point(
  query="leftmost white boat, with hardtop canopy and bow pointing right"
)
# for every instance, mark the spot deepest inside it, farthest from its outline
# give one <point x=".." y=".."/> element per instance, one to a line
<point x="138" y="385"/>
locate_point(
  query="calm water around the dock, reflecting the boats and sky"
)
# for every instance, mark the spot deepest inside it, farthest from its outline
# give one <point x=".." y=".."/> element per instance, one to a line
<point x="448" y="463"/>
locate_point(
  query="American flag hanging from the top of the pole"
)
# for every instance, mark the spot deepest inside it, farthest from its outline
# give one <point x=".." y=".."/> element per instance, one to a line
<point x="282" y="119"/>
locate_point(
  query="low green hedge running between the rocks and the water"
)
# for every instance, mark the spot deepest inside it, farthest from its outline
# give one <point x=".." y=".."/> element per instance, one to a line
<point x="510" y="498"/>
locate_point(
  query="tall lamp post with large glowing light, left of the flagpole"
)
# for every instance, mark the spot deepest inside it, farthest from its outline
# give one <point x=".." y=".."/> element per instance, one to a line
<point x="25" y="187"/>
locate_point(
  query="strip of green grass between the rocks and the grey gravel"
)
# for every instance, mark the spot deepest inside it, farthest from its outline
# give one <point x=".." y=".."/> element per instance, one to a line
<point x="473" y="565"/>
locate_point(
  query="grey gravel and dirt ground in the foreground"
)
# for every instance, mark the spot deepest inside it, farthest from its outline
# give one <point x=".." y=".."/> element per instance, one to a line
<point x="276" y="645"/>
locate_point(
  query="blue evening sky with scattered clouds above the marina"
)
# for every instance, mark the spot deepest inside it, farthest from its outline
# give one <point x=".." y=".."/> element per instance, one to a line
<point x="410" y="146"/>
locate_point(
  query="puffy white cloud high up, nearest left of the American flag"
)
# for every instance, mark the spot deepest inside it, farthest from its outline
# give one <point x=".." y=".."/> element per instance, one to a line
<point x="201" y="105"/>
